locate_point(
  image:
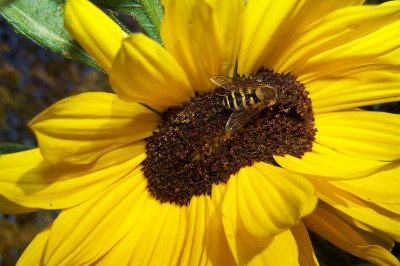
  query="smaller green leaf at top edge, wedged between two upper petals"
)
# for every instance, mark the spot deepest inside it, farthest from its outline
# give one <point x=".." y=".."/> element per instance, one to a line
<point x="149" y="13"/>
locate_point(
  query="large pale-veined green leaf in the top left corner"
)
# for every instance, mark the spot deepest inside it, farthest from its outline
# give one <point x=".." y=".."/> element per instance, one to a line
<point x="42" y="22"/>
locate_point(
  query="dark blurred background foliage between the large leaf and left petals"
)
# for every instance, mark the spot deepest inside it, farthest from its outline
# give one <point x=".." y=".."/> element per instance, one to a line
<point x="31" y="79"/>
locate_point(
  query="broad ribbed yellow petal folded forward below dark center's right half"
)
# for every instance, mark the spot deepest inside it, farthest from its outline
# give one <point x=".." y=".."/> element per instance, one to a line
<point x="260" y="202"/>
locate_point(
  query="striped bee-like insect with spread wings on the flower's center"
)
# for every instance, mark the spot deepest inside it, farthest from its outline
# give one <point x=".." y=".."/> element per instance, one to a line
<point x="246" y="98"/>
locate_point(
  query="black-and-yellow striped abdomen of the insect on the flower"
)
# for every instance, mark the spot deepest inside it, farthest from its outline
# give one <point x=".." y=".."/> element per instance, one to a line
<point x="241" y="99"/>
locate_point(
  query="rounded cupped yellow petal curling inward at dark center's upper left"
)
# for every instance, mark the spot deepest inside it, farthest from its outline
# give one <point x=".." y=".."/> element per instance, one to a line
<point x="145" y="72"/>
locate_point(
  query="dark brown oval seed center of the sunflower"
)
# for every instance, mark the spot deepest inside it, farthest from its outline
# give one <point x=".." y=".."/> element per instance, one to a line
<point x="192" y="150"/>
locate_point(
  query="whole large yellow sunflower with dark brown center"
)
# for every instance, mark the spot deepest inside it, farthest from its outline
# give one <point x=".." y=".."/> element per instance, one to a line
<point x="151" y="175"/>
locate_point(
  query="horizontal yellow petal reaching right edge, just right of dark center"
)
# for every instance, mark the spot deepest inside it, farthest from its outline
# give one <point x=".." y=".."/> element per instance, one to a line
<point x="362" y="134"/>
